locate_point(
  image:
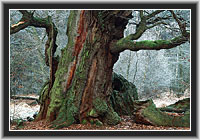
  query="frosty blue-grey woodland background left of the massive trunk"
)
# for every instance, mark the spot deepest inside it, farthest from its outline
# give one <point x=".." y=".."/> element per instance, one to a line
<point x="27" y="49"/>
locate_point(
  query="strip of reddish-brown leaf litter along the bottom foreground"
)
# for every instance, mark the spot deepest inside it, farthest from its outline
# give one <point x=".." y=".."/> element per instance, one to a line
<point x="125" y="124"/>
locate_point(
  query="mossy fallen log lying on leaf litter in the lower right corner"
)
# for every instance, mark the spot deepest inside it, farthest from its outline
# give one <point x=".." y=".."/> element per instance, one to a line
<point x="146" y="112"/>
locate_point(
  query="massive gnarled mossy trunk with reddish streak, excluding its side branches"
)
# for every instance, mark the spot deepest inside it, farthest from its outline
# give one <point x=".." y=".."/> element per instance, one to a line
<point x="83" y="81"/>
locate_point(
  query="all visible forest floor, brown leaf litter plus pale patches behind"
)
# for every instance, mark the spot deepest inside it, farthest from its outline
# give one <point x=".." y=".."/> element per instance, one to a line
<point x="23" y="108"/>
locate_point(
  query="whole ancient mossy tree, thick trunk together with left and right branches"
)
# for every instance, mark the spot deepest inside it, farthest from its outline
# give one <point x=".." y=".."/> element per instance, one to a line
<point x="80" y="84"/>
